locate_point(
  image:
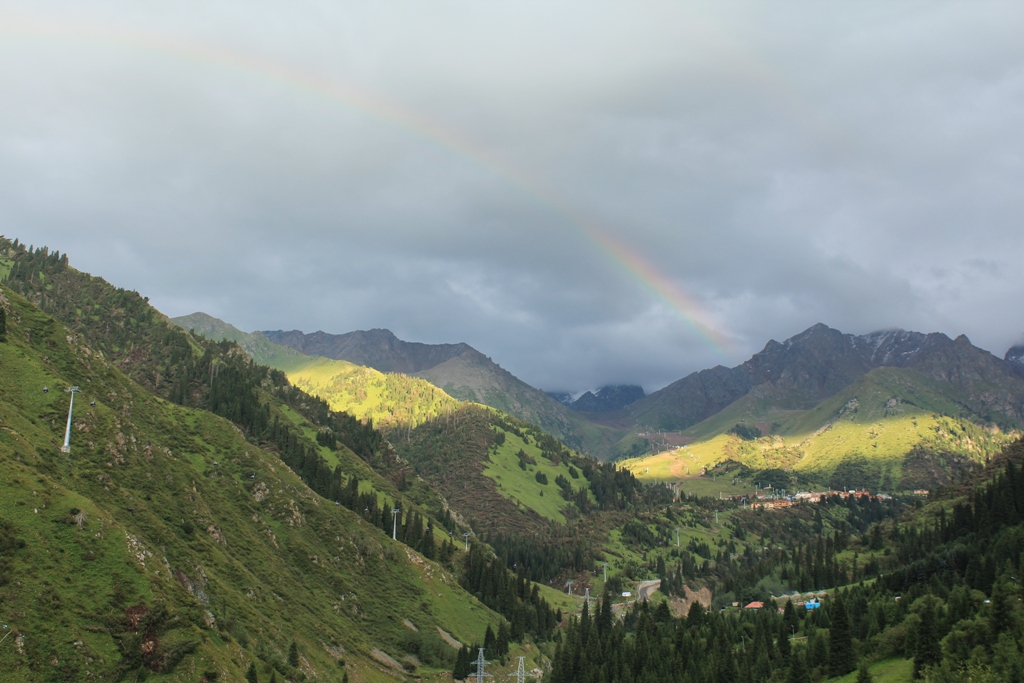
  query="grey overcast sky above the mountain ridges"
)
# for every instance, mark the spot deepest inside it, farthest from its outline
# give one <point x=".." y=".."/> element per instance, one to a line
<point x="455" y="172"/>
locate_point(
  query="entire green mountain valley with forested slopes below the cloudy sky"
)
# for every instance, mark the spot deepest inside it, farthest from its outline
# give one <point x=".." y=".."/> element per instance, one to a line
<point x="233" y="508"/>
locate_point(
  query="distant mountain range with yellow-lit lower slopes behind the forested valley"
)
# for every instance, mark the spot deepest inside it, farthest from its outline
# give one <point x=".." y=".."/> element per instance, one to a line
<point x="783" y="393"/>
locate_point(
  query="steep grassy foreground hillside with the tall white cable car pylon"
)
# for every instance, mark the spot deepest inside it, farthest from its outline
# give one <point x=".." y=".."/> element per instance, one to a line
<point x="167" y="543"/>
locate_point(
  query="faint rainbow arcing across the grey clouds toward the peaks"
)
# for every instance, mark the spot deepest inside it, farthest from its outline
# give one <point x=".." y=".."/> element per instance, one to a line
<point x="627" y="261"/>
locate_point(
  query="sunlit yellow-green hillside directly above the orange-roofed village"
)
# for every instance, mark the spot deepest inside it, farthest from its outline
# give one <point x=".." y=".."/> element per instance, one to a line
<point x="893" y="429"/>
